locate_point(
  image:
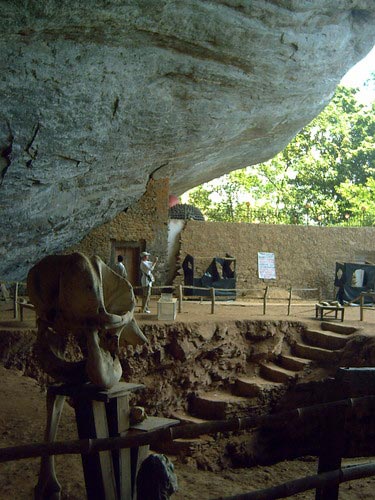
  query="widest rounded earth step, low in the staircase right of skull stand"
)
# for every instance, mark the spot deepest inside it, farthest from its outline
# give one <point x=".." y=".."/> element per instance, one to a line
<point x="221" y="406"/>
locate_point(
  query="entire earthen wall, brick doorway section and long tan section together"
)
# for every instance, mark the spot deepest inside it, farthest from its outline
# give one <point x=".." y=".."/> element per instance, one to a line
<point x="305" y="255"/>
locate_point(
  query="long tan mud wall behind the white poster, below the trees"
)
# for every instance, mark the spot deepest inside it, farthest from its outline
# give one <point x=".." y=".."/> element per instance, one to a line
<point x="305" y="256"/>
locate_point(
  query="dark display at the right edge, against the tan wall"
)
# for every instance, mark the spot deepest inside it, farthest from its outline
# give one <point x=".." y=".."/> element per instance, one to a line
<point x="345" y="279"/>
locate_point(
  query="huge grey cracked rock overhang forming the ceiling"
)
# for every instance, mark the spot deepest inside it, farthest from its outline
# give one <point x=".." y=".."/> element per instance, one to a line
<point x="98" y="96"/>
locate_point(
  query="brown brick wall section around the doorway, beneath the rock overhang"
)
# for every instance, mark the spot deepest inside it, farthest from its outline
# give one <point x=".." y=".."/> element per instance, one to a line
<point x="144" y="225"/>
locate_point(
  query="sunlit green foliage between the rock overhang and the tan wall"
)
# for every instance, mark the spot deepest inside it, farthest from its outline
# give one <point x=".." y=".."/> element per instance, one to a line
<point x="324" y="176"/>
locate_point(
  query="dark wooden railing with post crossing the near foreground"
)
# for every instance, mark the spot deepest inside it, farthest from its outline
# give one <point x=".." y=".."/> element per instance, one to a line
<point x="326" y="482"/>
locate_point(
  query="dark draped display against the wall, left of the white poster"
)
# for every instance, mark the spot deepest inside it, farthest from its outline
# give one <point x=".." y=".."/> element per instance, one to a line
<point x="219" y="274"/>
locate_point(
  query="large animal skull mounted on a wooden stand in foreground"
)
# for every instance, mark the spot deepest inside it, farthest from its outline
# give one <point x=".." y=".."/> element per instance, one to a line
<point x="80" y="295"/>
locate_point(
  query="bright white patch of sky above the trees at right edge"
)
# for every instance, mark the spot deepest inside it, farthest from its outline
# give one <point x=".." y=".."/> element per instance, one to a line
<point x="357" y="76"/>
